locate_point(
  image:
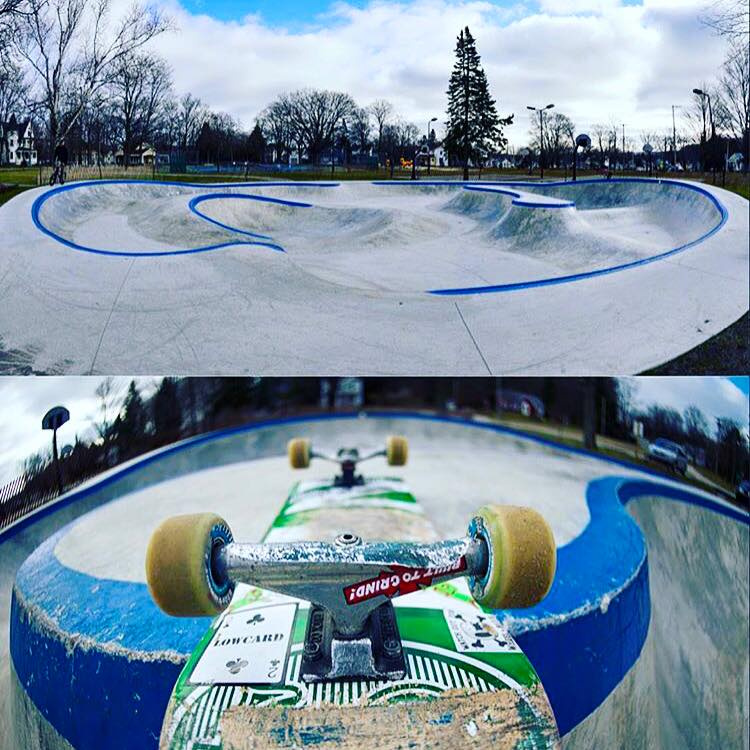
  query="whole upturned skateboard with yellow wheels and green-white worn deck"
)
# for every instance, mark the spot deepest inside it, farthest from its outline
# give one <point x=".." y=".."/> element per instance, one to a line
<point x="353" y="623"/>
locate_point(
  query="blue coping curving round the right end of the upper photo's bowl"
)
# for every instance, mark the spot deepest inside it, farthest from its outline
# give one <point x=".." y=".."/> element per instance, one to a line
<point x="555" y="280"/>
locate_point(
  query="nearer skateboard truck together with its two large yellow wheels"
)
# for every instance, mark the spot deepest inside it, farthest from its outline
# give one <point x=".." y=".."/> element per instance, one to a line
<point x="193" y="565"/>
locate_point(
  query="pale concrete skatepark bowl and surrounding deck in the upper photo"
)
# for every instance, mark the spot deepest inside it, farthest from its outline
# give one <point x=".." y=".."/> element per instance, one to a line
<point x="560" y="276"/>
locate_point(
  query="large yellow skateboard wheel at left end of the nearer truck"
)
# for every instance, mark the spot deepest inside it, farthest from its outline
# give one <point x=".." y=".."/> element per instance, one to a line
<point x="180" y="570"/>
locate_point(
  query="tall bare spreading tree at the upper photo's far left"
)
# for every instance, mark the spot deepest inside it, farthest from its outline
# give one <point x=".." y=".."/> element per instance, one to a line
<point x="72" y="50"/>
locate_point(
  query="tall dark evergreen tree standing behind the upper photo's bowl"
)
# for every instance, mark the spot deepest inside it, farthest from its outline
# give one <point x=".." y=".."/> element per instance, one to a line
<point x="474" y="128"/>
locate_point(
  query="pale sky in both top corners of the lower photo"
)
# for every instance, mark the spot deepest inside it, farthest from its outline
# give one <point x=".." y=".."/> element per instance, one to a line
<point x="24" y="401"/>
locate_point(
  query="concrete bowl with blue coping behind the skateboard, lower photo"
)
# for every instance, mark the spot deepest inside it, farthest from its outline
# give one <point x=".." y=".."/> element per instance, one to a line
<point x="641" y="643"/>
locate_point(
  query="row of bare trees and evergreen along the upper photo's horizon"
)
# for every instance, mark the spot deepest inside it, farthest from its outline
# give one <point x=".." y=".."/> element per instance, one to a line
<point x="89" y="78"/>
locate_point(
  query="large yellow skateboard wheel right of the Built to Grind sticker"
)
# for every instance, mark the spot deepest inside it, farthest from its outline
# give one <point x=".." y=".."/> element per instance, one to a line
<point x="521" y="557"/>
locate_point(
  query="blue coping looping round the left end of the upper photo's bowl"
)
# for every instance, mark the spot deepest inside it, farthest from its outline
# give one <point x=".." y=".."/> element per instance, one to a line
<point x="42" y="199"/>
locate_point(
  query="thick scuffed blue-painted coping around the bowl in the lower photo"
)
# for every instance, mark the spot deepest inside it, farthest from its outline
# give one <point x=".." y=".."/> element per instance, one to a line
<point x="608" y="554"/>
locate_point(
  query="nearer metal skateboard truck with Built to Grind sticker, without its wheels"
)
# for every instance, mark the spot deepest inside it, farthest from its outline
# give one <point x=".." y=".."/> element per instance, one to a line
<point x="351" y="628"/>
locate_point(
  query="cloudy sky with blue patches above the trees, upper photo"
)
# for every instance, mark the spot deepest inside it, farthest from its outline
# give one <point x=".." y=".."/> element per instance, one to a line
<point x="596" y="60"/>
